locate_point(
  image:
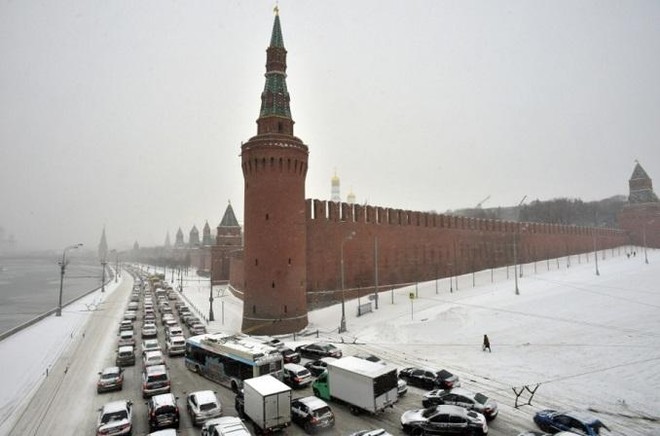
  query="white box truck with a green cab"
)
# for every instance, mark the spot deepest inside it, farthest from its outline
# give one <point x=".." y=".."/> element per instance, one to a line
<point x="363" y="385"/>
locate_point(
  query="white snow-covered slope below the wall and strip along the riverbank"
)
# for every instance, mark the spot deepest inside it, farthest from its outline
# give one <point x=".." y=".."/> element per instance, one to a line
<point x="590" y="341"/>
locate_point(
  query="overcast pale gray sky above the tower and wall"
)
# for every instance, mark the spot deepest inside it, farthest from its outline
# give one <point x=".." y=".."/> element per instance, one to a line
<point x="130" y="114"/>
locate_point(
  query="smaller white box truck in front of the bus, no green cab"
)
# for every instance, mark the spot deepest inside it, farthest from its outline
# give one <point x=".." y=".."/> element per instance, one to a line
<point x="267" y="403"/>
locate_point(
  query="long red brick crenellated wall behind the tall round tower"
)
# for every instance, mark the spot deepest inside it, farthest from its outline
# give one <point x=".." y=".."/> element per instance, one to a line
<point x="421" y="246"/>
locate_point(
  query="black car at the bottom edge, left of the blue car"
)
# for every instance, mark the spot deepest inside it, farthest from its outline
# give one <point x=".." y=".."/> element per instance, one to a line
<point x="443" y="420"/>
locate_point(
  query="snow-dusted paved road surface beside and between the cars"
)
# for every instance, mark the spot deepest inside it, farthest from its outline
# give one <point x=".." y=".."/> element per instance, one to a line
<point x="67" y="402"/>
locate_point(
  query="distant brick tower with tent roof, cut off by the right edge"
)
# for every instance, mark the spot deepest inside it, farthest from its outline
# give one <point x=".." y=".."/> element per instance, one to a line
<point x="641" y="216"/>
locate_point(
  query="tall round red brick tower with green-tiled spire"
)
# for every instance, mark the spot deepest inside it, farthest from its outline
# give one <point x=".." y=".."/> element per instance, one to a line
<point x="274" y="164"/>
